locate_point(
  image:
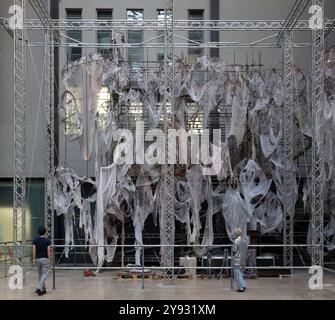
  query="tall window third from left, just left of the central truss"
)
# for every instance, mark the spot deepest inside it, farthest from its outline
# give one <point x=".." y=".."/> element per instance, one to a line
<point x="135" y="55"/>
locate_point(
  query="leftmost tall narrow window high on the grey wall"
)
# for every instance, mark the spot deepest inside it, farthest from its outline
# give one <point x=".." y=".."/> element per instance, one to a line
<point x="74" y="52"/>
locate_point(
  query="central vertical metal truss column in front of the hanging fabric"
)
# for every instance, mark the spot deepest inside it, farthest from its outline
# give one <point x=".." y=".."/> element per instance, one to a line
<point x="168" y="223"/>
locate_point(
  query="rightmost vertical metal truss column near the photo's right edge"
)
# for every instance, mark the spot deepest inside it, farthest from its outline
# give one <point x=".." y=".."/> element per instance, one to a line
<point x="317" y="139"/>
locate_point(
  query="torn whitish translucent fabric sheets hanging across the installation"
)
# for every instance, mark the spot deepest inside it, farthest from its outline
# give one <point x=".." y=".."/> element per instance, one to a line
<point x="208" y="85"/>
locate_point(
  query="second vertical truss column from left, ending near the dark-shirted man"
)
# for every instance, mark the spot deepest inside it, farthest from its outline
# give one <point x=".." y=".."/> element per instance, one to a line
<point x="49" y="132"/>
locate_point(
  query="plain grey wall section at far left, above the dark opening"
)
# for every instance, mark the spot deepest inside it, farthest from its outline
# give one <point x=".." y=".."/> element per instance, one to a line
<point x="34" y="112"/>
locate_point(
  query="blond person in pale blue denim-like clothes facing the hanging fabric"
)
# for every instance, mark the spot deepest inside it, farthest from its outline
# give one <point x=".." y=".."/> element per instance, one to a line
<point x="240" y="248"/>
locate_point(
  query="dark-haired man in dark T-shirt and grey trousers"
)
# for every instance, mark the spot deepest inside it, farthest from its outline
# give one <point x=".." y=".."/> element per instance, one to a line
<point x="41" y="258"/>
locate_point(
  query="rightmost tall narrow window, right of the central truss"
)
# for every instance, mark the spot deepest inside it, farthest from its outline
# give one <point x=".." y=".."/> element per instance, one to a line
<point x="195" y="35"/>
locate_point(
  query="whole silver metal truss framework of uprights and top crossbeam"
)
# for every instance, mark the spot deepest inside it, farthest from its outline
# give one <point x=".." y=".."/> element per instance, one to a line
<point x="170" y="26"/>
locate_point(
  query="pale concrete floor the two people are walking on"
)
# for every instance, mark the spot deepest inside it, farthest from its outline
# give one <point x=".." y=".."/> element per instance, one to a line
<point x="70" y="284"/>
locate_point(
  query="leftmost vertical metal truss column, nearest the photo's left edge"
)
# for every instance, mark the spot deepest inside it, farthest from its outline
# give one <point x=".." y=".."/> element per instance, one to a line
<point x="19" y="181"/>
